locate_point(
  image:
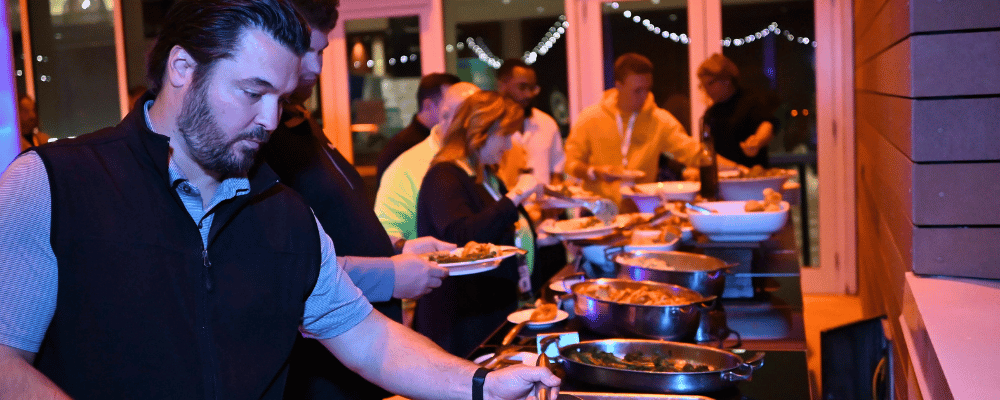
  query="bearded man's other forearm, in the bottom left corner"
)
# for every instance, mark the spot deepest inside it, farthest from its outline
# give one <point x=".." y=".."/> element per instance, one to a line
<point x="21" y="381"/>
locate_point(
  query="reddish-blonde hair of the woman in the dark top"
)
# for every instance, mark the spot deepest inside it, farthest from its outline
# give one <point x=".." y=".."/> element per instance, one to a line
<point x="480" y="116"/>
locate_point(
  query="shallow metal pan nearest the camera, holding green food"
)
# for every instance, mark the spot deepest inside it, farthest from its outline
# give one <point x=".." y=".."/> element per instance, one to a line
<point x="729" y="368"/>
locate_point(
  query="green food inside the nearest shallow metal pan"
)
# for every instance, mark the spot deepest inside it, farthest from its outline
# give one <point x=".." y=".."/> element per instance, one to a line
<point x="638" y="361"/>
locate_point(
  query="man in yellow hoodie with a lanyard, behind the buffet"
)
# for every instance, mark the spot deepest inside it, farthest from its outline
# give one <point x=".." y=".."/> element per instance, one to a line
<point x="626" y="131"/>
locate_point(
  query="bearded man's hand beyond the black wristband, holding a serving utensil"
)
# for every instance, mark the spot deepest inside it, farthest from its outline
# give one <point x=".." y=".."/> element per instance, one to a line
<point x="518" y="382"/>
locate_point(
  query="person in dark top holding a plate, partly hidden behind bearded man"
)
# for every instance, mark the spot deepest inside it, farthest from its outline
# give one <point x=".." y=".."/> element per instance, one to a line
<point x="304" y="160"/>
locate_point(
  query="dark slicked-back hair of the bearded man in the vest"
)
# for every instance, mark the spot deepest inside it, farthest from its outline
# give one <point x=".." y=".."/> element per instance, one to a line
<point x="209" y="30"/>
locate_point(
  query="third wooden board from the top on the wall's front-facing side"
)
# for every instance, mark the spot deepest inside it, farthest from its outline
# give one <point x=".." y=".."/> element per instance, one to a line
<point x="955" y="129"/>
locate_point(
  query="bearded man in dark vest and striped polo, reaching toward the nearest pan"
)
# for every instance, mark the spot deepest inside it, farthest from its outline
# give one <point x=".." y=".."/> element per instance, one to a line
<point x="182" y="268"/>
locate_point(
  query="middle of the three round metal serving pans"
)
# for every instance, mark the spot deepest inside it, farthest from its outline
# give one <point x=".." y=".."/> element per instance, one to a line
<point x="674" y="322"/>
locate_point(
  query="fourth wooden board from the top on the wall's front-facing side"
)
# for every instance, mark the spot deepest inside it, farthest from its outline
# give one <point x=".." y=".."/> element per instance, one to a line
<point x="956" y="194"/>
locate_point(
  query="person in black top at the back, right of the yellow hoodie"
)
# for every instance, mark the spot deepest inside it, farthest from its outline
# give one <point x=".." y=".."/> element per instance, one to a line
<point x="741" y="123"/>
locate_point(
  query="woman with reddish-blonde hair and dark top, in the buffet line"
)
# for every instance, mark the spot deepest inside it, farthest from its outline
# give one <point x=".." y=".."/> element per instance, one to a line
<point x="461" y="200"/>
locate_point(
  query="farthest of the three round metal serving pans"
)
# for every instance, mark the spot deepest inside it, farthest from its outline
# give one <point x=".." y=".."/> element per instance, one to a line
<point x="703" y="274"/>
